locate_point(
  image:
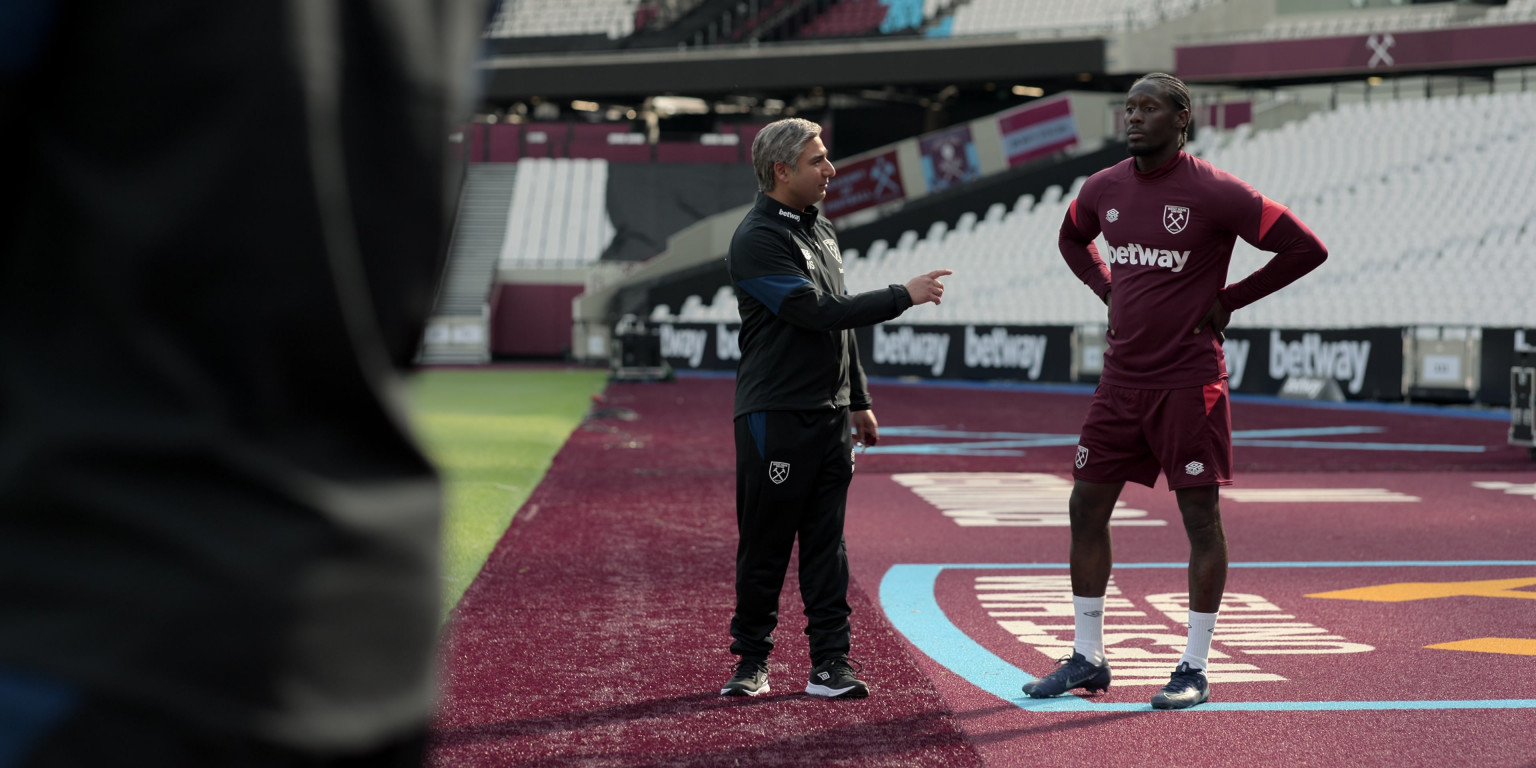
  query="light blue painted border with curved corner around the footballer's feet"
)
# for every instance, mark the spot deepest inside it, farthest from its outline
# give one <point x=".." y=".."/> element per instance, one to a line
<point x="907" y="597"/>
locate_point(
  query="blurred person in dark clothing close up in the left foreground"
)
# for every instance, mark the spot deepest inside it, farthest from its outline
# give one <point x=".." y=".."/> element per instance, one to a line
<point x="219" y="541"/>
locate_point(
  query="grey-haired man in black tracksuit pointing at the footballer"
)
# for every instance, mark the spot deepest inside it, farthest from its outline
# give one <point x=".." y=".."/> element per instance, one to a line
<point x="801" y="396"/>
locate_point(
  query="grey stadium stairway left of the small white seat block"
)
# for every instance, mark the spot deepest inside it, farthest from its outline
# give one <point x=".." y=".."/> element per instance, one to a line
<point x="457" y="333"/>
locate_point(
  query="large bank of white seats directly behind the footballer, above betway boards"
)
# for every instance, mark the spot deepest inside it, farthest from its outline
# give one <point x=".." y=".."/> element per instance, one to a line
<point x="1428" y="208"/>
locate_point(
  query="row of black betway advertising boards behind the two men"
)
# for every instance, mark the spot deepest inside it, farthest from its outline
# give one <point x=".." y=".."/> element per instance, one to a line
<point x="1443" y="365"/>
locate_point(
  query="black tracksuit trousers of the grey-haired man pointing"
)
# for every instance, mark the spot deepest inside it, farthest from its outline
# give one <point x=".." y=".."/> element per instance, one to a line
<point x="792" y="482"/>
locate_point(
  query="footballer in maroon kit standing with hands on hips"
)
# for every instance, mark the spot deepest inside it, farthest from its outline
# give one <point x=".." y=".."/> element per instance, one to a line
<point x="1162" y="403"/>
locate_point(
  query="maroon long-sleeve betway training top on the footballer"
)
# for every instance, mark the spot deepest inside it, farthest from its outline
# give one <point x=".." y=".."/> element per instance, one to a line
<point x="1171" y="234"/>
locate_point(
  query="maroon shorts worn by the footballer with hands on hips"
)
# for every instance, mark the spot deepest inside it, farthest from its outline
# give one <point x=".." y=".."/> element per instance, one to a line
<point x="1131" y="434"/>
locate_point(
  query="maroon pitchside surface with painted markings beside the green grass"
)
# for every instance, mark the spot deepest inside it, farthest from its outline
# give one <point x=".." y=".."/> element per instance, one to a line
<point x="597" y="632"/>
